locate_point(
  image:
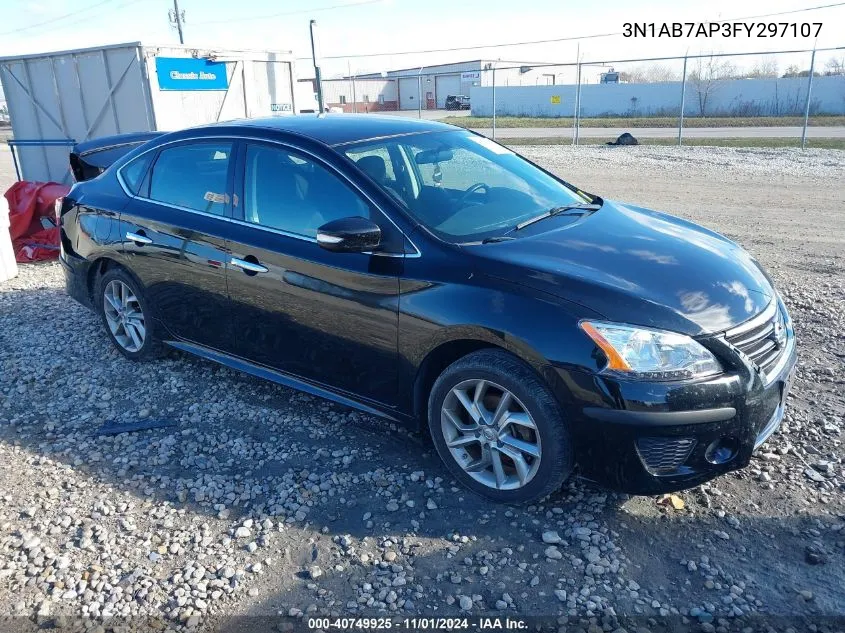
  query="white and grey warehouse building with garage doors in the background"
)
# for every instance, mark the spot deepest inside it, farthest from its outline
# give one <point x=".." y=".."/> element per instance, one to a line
<point x="439" y="81"/>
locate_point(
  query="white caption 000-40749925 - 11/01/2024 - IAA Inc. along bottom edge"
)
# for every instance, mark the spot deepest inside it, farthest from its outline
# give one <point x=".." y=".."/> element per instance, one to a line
<point x="419" y="624"/>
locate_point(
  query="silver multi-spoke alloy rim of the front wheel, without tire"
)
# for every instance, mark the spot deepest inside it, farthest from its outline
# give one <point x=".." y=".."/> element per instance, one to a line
<point x="490" y="434"/>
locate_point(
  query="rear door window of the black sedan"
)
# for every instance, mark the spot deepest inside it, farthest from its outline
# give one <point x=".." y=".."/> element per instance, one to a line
<point x="193" y="176"/>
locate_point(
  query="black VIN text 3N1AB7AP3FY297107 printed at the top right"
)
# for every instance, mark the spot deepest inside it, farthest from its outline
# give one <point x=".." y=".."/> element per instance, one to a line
<point x="721" y="29"/>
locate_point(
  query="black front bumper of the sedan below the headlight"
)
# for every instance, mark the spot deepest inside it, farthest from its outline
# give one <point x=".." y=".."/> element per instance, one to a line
<point x="651" y="438"/>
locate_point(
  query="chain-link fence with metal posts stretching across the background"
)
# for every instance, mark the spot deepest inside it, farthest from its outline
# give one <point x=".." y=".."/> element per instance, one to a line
<point x="783" y="97"/>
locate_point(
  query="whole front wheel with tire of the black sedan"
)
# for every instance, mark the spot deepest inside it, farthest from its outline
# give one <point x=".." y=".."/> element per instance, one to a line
<point x="519" y="477"/>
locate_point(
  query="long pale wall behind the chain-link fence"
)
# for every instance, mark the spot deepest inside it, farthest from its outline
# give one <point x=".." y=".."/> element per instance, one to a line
<point x="738" y="97"/>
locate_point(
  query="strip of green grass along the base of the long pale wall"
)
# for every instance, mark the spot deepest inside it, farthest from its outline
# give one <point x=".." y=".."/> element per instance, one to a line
<point x="637" y="122"/>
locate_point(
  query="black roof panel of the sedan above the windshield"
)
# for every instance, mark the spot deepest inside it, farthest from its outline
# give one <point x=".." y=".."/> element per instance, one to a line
<point x="339" y="129"/>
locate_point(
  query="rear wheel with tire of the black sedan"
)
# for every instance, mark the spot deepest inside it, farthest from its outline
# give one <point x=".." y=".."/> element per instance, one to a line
<point x="127" y="336"/>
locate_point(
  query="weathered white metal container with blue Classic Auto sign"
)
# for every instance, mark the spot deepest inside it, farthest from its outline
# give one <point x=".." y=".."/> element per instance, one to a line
<point x="78" y="95"/>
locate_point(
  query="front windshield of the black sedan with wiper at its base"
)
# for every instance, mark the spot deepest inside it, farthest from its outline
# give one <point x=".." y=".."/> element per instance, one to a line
<point x="462" y="186"/>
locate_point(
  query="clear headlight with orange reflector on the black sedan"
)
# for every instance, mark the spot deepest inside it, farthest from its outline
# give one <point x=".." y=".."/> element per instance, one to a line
<point x="645" y="354"/>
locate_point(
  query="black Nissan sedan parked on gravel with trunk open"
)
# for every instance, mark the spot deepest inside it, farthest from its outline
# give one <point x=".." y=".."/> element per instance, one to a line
<point x="426" y="274"/>
